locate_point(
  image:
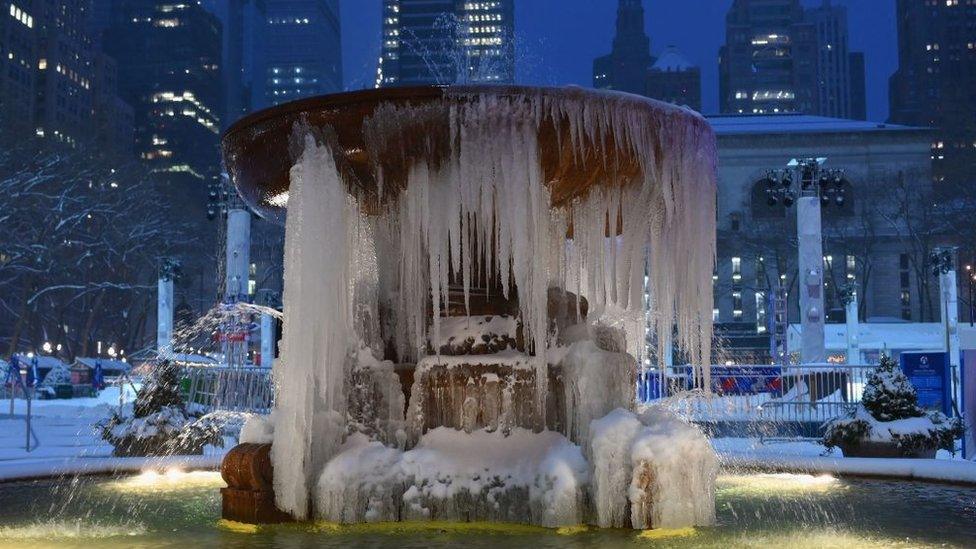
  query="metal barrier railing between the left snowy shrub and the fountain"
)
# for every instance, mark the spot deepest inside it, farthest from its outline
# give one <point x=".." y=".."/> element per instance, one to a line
<point x="212" y="388"/>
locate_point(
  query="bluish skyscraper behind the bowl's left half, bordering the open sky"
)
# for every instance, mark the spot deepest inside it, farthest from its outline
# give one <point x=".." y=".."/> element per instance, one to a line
<point x="301" y="50"/>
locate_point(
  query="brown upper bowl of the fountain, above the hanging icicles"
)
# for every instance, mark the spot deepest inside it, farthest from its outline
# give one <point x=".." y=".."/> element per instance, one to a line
<point x="260" y="149"/>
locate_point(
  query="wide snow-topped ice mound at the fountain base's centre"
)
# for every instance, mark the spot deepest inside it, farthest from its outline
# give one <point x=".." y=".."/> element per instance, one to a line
<point x="453" y="475"/>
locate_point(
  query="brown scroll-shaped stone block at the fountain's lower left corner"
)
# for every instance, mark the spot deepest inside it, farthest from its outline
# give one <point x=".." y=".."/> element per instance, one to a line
<point x="249" y="495"/>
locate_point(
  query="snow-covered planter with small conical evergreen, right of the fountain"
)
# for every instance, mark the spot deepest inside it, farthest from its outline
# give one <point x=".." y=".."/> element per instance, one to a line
<point x="889" y="423"/>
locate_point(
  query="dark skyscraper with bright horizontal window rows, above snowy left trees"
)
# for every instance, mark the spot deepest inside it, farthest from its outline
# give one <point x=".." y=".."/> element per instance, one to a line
<point x="169" y="70"/>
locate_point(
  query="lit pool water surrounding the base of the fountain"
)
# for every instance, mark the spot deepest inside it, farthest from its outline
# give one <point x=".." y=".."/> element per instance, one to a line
<point x="182" y="510"/>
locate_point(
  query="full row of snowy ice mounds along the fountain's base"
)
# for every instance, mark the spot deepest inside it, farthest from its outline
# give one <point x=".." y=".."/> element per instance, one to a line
<point x="647" y="471"/>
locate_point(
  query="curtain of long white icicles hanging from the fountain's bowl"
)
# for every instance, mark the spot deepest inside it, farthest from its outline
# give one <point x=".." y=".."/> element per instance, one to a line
<point x="369" y="271"/>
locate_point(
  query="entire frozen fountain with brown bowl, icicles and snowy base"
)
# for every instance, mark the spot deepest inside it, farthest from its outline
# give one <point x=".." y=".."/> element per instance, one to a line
<point x="466" y="275"/>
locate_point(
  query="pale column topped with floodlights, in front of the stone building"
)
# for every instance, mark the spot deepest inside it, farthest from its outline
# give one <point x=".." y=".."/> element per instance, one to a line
<point x="806" y="183"/>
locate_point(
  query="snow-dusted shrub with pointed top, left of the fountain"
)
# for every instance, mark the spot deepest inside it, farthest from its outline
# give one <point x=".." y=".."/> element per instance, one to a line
<point x="157" y="424"/>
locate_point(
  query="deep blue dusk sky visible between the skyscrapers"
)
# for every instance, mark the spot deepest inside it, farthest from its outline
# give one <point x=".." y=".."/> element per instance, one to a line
<point x="558" y="39"/>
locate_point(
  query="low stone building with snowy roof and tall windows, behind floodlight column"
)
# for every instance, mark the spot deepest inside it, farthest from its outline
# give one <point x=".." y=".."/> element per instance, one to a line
<point x="876" y="242"/>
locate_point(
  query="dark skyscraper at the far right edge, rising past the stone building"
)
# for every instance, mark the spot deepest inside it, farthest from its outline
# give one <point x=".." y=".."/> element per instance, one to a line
<point x="935" y="85"/>
